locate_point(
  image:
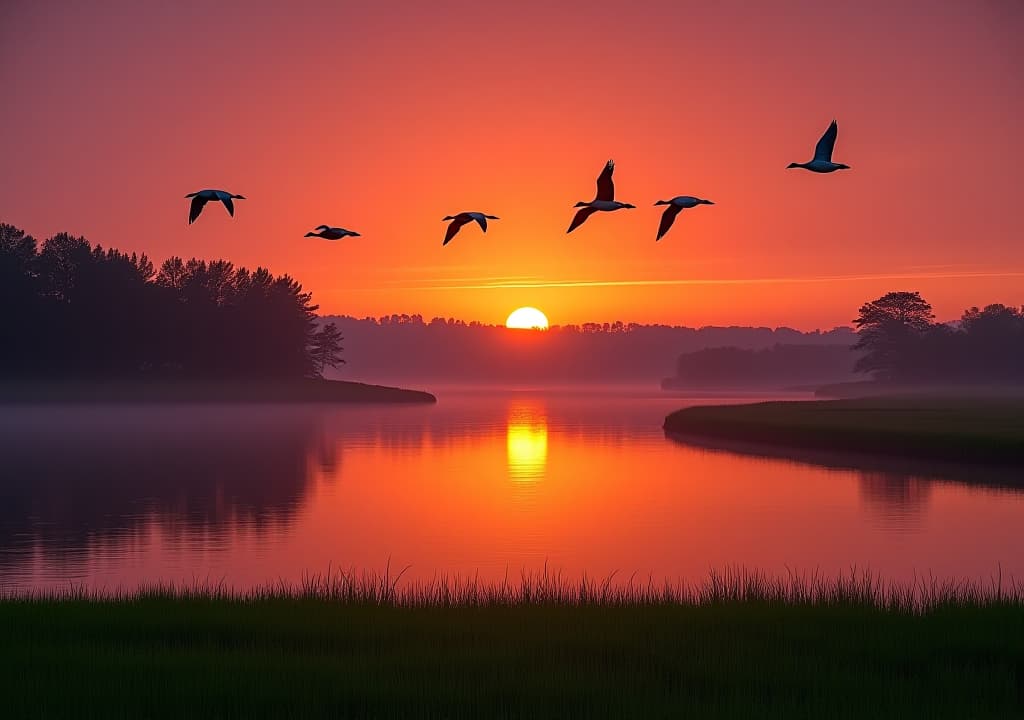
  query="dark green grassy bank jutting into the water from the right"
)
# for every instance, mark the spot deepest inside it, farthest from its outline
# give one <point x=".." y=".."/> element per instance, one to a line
<point x="986" y="431"/>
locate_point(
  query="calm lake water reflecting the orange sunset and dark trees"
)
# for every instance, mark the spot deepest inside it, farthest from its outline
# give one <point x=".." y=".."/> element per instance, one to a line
<point x="484" y="483"/>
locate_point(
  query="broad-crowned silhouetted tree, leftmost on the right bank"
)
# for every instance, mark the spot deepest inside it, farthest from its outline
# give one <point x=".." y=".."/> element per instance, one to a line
<point x="887" y="329"/>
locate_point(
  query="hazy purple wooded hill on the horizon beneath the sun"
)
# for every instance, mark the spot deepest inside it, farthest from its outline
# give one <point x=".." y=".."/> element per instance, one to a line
<point x="404" y="348"/>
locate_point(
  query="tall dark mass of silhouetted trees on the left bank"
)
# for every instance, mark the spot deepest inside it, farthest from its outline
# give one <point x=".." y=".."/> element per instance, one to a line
<point x="75" y="310"/>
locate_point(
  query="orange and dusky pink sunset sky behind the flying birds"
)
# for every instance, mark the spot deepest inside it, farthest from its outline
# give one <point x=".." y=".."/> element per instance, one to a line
<point x="386" y="117"/>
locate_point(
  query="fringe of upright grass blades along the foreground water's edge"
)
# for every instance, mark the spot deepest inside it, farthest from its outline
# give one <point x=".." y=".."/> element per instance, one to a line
<point x="859" y="587"/>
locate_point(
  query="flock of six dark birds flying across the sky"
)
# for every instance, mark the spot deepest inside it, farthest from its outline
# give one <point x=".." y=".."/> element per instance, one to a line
<point x="605" y="200"/>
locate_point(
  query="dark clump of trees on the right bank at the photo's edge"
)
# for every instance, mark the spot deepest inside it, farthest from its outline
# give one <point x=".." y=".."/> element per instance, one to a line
<point x="902" y="343"/>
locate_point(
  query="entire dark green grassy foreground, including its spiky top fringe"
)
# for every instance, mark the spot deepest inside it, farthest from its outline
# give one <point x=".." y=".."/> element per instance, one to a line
<point x="739" y="646"/>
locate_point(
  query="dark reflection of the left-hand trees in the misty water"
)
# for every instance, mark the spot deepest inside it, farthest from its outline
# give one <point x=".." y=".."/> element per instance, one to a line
<point x="77" y="481"/>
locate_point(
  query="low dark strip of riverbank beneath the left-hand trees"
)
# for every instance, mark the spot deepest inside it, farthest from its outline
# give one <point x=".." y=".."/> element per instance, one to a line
<point x="165" y="392"/>
